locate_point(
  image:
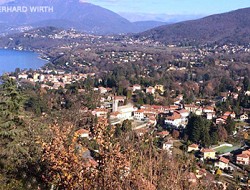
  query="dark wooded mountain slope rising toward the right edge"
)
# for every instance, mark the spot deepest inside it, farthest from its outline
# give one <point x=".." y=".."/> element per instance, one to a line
<point x="231" y="27"/>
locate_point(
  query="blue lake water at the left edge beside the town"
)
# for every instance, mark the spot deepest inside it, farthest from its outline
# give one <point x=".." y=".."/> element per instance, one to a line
<point x="12" y="59"/>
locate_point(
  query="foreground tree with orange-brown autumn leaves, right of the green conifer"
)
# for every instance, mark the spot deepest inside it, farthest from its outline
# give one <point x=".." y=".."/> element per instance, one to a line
<point x="63" y="158"/>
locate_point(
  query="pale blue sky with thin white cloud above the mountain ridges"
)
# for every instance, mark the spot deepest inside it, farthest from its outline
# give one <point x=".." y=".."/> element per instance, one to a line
<point x="166" y="9"/>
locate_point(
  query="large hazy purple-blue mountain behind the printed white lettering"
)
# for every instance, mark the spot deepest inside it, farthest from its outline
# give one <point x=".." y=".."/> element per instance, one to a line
<point x="68" y="14"/>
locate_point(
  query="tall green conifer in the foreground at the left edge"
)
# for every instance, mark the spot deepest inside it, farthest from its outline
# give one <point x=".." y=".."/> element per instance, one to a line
<point x="19" y="153"/>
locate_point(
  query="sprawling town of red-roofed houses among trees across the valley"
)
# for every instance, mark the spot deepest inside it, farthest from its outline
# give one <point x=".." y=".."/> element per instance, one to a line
<point x="192" y="100"/>
